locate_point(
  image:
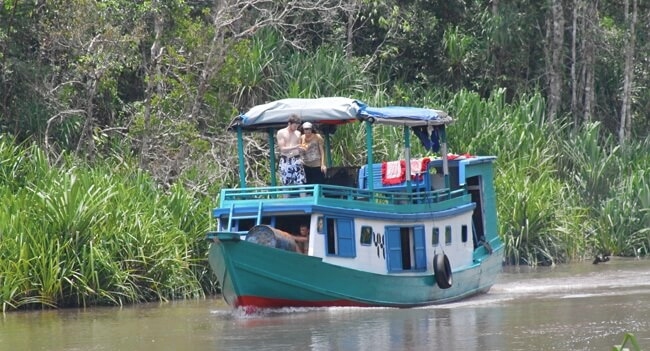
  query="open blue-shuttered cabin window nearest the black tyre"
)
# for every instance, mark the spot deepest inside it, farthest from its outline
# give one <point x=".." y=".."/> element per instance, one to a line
<point x="405" y="248"/>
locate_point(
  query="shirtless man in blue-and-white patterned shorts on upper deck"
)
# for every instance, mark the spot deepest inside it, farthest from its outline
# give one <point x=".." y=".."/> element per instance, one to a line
<point x="292" y="171"/>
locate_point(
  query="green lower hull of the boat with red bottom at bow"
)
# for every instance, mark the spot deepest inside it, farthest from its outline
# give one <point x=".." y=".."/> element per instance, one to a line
<point x="253" y="275"/>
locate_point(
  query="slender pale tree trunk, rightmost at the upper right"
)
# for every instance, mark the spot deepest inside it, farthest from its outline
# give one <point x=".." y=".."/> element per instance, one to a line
<point x="628" y="76"/>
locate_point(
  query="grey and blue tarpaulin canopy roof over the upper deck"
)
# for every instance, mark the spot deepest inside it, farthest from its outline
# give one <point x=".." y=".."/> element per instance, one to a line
<point x="334" y="111"/>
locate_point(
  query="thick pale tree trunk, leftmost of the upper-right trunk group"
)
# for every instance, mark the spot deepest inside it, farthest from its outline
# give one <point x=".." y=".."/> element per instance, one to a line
<point x="555" y="64"/>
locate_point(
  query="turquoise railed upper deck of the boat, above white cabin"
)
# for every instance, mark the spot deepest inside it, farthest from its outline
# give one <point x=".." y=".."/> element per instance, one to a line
<point x="419" y="195"/>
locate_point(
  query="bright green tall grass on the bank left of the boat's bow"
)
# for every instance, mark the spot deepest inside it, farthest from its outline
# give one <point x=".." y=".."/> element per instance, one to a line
<point x="78" y="236"/>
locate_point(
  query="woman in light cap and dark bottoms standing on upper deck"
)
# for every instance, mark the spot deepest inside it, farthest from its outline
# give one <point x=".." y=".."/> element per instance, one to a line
<point x="314" y="154"/>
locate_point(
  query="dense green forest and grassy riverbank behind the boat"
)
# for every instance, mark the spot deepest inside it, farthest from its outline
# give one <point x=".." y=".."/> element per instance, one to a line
<point x="113" y="115"/>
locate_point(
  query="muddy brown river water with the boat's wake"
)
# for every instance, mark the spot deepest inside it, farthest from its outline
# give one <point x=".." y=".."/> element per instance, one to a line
<point x="579" y="306"/>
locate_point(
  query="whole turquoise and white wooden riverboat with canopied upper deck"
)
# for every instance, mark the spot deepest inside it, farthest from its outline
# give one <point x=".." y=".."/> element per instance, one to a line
<point x="428" y="238"/>
